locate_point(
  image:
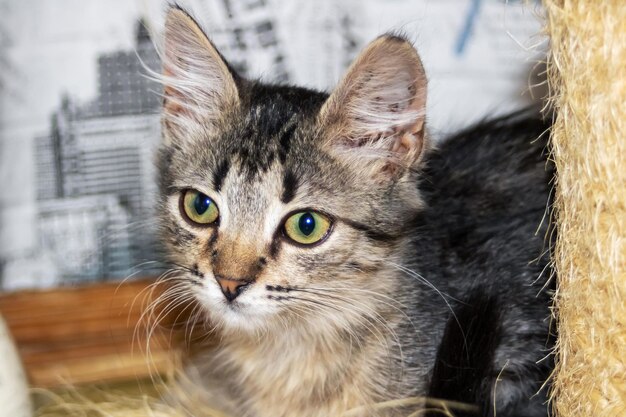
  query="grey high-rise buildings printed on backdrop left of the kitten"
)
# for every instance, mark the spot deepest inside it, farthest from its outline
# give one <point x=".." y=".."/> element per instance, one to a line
<point x="95" y="175"/>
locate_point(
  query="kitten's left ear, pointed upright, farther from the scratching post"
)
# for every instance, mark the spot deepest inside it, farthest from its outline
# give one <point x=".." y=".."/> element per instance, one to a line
<point x="199" y="86"/>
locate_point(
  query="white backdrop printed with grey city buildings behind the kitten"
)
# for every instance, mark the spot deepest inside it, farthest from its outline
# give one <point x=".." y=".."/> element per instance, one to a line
<point x="79" y="117"/>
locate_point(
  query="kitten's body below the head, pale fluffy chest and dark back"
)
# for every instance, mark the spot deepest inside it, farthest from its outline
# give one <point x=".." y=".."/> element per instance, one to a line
<point x="478" y="249"/>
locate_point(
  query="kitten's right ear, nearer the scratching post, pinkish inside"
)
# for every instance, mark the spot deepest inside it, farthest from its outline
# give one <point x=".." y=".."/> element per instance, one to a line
<point x="377" y="110"/>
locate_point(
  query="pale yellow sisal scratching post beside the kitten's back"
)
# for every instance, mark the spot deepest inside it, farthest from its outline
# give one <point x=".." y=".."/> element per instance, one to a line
<point x="587" y="75"/>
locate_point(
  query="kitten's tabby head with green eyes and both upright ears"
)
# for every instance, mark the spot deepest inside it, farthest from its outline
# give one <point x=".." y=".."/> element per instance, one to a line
<point x="283" y="204"/>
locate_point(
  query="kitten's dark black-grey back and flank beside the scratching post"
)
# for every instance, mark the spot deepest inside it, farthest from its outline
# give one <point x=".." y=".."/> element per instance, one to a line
<point x="487" y="190"/>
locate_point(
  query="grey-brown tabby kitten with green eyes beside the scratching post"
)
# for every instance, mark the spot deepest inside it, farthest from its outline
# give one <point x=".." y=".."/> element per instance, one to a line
<point x="342" y="261"/>
